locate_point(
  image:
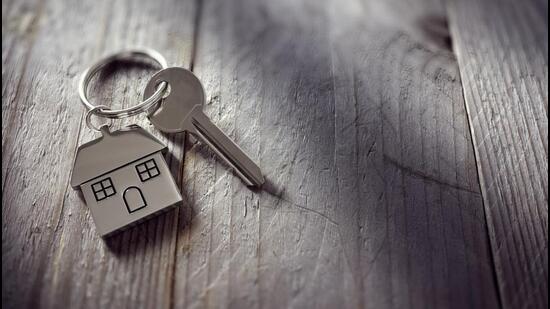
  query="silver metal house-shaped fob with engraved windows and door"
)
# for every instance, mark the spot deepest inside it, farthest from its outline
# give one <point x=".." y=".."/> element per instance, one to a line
<point x="124" y="178"/>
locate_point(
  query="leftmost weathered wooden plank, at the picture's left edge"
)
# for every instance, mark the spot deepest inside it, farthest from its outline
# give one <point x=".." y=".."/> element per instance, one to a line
<point x="39" y="136"/>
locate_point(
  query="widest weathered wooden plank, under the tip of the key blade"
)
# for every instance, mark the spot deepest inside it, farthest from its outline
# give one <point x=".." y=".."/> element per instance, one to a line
<point x="373" y="198"/>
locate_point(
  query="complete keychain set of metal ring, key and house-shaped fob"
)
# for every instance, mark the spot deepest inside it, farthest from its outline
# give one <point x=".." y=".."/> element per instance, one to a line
<point x="122" y="174"/>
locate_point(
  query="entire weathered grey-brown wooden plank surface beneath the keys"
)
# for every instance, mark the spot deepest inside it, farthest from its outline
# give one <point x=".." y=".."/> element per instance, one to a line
<point x="358" y="112"/>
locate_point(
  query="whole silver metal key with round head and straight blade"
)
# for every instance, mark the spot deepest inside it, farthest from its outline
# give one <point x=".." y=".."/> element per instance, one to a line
<point x="182" y="111"/>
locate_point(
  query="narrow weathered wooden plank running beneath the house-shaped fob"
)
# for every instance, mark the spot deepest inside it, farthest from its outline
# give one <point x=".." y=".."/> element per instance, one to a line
<point x="135" y="268"/>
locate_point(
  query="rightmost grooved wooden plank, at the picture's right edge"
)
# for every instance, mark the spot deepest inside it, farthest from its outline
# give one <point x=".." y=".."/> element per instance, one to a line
<point x="502" y="49"/>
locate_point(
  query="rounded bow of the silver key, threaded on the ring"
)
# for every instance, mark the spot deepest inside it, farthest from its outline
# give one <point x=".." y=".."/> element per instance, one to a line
<point x="186" y="94"/>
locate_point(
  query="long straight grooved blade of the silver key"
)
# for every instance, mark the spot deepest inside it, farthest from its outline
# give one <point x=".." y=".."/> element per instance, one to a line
<point x="231" y="153"/>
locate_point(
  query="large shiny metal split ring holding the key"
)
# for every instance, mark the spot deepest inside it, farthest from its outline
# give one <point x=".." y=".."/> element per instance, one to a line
<point x="143" y="106"/>
